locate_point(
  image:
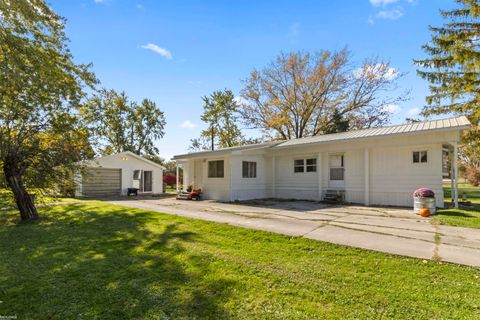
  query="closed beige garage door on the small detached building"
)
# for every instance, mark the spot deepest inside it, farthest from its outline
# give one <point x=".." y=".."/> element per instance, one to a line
<point x="101" y="182"/>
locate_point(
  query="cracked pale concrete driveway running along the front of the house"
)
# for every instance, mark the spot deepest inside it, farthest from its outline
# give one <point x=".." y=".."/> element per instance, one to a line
<point x="390" y="230"/>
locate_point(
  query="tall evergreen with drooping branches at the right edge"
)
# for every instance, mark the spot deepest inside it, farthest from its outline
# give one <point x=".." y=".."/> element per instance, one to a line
<point x="453" y="70"/>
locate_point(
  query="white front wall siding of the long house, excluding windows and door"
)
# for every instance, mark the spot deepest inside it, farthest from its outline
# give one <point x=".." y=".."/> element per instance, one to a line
<point x="393" y="176"/>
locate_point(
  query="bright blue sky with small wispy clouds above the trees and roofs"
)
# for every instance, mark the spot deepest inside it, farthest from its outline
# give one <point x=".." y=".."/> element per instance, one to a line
<point x="175" y="52"/>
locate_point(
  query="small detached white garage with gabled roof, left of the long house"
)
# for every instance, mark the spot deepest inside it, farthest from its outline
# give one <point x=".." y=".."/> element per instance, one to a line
<point x="112" y="175"/>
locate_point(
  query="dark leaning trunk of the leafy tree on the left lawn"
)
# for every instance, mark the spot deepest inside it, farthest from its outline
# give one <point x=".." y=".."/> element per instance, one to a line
<point x="23" y="200"/>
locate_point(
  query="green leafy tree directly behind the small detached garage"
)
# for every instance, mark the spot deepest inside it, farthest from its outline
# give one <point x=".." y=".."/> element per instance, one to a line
<point x="123" y="125"/>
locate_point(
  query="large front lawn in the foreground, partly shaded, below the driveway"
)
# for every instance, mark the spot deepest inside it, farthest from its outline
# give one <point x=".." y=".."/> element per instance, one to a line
<point x="90" y="260"/>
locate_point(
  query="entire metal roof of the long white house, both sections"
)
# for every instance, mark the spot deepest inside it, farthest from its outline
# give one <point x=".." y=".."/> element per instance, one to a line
<point x="458" y="123"/>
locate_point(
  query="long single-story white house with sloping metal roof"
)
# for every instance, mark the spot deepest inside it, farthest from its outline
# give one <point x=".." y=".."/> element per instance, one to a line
<point x="378" y="166"/>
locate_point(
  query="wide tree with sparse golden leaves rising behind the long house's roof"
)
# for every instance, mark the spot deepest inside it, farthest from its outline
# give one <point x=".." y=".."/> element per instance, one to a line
<point x="302" y="94"/>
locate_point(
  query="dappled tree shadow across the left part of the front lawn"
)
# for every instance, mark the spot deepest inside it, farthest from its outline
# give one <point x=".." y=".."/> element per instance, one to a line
<point x="119" y="264"/>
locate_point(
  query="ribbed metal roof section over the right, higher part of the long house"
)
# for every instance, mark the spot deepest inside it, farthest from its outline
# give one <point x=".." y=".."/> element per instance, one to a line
<point x="441" y="124"/>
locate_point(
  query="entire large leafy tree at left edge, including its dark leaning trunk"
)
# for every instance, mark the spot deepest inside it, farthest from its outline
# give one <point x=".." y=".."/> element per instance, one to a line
<point x="40" y="89"/>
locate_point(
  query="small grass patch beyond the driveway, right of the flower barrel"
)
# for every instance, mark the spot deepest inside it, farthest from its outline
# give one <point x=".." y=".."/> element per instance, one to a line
<point x="465" y="216"/>
